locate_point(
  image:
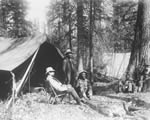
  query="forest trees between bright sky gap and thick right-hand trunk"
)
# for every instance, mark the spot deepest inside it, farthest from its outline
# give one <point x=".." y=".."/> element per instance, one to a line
<point x="108" y="24"/>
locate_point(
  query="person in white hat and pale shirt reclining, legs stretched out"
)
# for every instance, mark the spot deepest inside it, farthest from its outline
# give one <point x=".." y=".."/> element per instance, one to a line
<point x="58" y="86"/>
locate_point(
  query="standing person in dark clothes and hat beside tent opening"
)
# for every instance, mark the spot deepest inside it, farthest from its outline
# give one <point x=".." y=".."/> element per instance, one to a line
<point x="69" y="68"/>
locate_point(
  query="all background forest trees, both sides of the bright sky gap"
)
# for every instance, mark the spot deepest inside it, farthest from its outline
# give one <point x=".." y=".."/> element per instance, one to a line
<point x="89" y="27"/>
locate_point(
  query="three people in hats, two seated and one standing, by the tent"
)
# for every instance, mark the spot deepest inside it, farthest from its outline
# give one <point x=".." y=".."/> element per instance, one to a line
<point x="78" y="88"/>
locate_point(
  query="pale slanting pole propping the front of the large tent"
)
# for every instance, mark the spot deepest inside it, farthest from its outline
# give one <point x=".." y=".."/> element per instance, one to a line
<point x="24" y="80"/>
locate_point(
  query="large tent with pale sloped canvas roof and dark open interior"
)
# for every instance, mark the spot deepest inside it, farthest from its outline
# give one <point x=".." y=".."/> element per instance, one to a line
<point x="17" y="54"/>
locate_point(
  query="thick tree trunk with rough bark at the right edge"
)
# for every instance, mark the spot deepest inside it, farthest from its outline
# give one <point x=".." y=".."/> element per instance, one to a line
<point x="140" y="46"/>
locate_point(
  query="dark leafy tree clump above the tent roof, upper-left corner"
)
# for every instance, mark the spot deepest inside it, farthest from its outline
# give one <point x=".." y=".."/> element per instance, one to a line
<point x="13" y="22"/>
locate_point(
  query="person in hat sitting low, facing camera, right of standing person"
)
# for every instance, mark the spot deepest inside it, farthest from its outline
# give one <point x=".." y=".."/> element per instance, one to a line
<point x="83" y="85"/>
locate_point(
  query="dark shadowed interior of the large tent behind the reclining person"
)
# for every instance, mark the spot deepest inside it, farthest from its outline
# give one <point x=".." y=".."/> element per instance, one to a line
<point x="47" y="55"/>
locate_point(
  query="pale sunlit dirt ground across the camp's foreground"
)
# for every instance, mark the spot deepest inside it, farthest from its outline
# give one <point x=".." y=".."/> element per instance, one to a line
<point x="35" y="106"/>
